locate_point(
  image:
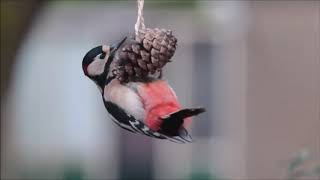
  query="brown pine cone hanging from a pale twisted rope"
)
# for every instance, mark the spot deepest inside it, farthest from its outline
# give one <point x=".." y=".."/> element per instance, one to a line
<point x="148" y="53"/>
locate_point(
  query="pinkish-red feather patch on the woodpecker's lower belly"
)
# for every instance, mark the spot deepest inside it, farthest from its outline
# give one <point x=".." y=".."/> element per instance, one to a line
<point x="158" y="100"/>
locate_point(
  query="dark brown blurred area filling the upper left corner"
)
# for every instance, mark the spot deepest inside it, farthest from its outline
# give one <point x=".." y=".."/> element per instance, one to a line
<point x="15" y="16"/>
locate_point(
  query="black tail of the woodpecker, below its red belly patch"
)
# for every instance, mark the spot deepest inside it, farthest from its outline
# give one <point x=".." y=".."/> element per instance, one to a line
<point x="172" y="123"/>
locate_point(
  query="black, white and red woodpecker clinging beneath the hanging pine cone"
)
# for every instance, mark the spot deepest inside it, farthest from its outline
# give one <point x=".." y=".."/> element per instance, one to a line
<point x="148" y="107"/>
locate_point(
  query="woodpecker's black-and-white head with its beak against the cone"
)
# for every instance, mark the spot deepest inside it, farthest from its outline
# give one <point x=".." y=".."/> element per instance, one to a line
<point x="96" y="62"/>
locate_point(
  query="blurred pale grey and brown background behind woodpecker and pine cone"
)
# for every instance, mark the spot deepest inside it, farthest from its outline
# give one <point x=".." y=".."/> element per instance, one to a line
<point x="254" y="65"/>
